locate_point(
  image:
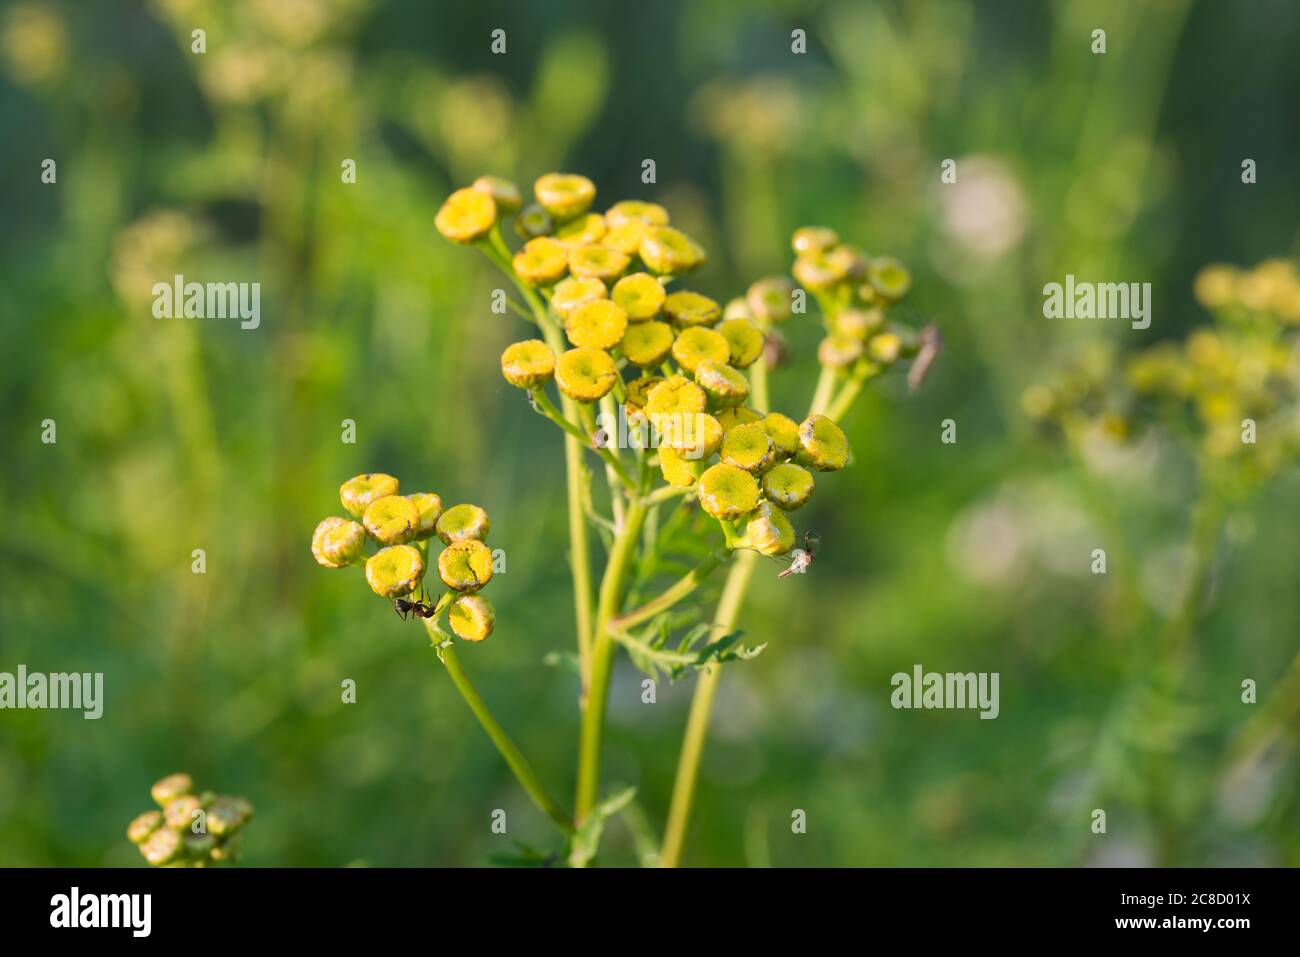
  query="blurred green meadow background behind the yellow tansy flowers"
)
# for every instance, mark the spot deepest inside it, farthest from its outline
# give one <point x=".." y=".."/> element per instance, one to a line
<point x="176" y="435"/>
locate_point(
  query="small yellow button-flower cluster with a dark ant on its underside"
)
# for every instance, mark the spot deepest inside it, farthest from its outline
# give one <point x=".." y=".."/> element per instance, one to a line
<point x="402" y="527"/>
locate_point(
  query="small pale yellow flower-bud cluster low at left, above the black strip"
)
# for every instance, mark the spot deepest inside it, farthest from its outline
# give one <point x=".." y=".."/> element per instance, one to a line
<point x="193" y="829"/>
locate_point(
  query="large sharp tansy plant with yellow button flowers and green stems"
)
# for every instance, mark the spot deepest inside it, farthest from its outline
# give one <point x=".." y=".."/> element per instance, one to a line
<point x="666" y="389"/>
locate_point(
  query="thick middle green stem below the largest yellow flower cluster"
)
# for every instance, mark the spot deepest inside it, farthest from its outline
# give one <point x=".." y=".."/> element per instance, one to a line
<point x="603" y="659"/>
